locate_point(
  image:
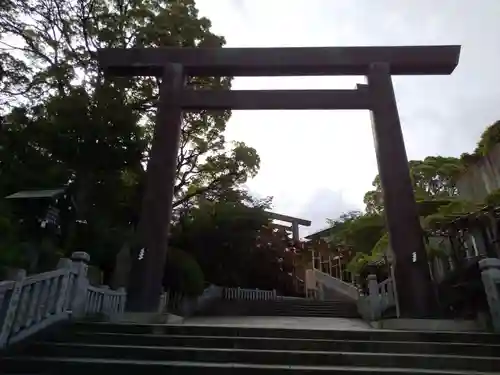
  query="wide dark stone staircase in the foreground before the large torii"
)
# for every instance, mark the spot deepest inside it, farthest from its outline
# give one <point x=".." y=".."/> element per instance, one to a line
<point x="86" y="348"/>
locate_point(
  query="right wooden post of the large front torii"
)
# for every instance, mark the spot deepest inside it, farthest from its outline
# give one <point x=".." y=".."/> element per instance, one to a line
<point x="405" y="233"/>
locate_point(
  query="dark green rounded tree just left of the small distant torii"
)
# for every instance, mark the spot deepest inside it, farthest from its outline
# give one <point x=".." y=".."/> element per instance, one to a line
<point x="221" y="235"/>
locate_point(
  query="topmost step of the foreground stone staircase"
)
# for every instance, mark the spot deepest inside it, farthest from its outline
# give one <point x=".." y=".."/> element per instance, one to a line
<point x="283" y="333"/>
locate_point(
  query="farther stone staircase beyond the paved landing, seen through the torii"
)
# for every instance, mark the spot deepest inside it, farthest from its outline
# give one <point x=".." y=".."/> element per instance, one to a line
<point x="294" y="307"/>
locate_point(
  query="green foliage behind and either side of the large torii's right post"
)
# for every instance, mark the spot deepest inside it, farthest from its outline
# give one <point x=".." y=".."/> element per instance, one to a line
<point x="435" y="187"/>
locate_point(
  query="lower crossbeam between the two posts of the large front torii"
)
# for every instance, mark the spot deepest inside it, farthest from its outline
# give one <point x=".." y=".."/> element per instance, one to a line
<point x="195" y="100"/>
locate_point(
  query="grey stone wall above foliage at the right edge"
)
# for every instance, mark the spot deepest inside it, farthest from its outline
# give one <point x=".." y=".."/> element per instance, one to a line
<point x="481" y="178"/>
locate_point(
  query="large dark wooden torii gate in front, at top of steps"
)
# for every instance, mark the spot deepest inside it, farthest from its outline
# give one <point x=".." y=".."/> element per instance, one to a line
<point x="378" y="64"/>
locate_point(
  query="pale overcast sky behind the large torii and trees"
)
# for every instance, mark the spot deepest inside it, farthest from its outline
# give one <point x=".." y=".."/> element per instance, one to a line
<point x="318" y="164"/>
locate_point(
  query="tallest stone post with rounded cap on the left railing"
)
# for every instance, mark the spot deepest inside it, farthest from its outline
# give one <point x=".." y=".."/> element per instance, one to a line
<point x="79" y="295"/>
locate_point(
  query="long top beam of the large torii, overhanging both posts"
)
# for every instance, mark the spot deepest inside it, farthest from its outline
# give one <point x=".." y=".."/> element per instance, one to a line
<point x="294" y="61"/>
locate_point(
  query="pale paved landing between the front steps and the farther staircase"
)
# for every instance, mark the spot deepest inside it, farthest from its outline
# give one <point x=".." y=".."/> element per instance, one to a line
<point x="282" y="322"/>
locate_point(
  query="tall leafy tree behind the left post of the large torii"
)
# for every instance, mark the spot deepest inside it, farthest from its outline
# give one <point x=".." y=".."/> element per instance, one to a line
<point x="65" y="124"/>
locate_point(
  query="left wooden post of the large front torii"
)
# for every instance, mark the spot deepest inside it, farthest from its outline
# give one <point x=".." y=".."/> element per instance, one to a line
<point x="148" y="260"/>
